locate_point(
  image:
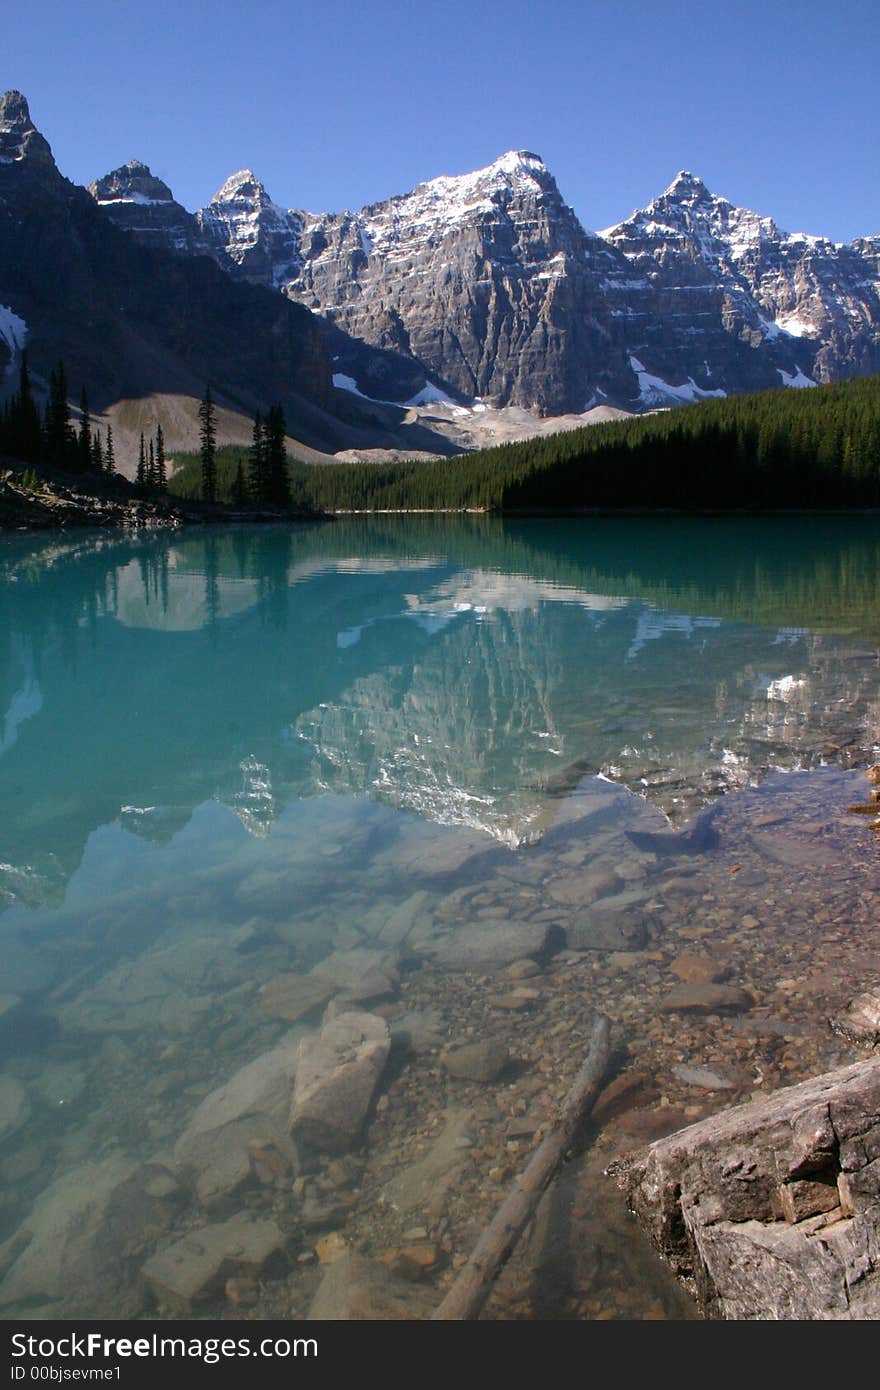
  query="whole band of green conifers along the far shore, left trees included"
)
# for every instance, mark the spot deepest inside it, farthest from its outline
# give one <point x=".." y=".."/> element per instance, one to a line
<point x="776" y="450"/>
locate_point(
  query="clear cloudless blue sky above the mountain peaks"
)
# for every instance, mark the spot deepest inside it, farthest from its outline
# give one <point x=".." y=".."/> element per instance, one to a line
<point x="339" y="105"/>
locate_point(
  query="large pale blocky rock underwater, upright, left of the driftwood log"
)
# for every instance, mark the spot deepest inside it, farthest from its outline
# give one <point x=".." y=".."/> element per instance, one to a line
<point x="337" y="1075"/>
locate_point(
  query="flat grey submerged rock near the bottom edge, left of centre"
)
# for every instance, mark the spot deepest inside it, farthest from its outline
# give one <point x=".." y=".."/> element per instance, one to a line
<point x="193" y="1270"/>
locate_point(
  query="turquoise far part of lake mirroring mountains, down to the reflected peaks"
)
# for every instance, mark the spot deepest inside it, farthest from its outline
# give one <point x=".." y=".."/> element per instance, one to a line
<point x="466" y="671"/>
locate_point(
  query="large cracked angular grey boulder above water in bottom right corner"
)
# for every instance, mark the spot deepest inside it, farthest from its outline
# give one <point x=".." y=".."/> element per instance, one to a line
<point x="772" y="1210"/>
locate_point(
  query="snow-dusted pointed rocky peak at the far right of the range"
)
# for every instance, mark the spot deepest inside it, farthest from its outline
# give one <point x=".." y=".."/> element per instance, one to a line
<point x="732" y="301"/>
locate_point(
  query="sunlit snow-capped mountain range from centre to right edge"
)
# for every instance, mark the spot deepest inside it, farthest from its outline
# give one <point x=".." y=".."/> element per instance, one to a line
<point x="490" y="286"/>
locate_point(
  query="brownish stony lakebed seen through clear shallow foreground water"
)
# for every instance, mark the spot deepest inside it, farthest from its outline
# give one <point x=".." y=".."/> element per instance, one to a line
<point x="240" y="1124"/>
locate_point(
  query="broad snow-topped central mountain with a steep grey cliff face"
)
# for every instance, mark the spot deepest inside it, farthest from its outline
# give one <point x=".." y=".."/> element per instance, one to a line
<point x="489" y="280"/>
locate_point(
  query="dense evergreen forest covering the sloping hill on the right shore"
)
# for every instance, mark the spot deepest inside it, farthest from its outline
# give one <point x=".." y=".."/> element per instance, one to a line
<point x="774" y="450"/>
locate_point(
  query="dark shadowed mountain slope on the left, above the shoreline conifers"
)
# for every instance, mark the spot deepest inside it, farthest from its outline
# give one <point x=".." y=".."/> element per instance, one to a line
<point x="127" y="318"/>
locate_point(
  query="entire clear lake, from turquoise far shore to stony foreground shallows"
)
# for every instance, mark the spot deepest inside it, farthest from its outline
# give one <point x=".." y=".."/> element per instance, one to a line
<point x="465" y="776"/>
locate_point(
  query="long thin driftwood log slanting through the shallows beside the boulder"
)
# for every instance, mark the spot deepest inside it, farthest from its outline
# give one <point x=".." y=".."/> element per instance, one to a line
<point x="475" y="1285"/>
